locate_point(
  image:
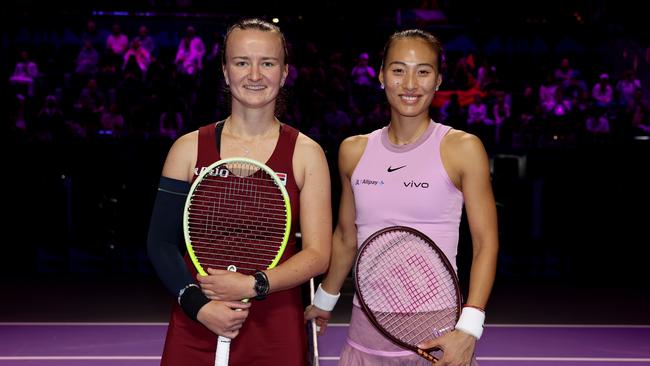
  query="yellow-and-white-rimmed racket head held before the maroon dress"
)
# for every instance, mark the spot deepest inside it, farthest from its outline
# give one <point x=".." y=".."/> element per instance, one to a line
<point x="237" y="217"/>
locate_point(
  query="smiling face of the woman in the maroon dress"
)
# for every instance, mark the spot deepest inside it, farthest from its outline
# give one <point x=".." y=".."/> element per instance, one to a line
<point x="254" y="67"/>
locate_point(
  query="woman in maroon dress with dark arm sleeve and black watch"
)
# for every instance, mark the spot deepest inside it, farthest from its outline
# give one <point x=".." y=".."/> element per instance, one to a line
<point x="269" y="331"/>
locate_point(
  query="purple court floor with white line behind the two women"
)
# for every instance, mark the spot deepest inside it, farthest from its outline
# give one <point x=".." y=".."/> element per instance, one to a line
<point x="140" y="344"/>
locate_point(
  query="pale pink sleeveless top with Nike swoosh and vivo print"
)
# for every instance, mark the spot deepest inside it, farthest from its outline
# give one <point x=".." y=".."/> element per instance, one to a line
<point x="408" y="186"/>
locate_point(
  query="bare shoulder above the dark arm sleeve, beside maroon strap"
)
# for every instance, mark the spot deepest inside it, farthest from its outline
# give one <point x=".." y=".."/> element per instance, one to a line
<point x="182" y="157"/>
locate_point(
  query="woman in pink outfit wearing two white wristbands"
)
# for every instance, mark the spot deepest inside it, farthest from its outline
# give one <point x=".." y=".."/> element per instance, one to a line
<point x="424" y="173"/>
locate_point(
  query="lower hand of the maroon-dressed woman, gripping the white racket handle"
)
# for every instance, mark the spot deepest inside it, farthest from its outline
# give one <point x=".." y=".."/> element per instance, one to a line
<point x="224" y="318"/>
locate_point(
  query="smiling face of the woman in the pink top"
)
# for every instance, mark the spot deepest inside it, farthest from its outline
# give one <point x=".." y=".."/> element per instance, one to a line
<point x="410" y="77"/>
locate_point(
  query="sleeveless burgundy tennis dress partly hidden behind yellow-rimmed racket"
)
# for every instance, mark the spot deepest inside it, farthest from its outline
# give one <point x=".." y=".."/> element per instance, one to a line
<point x="274" y="333"/>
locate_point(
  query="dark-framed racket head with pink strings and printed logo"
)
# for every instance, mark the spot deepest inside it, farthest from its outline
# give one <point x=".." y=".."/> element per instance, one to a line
<point x="406" y="286"/>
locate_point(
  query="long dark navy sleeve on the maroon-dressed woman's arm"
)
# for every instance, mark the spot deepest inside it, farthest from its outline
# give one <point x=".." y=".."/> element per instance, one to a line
<point x="166" y="235"/>
